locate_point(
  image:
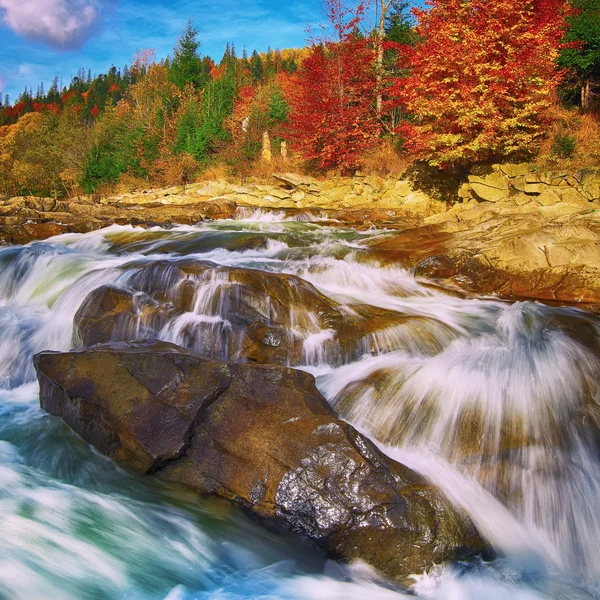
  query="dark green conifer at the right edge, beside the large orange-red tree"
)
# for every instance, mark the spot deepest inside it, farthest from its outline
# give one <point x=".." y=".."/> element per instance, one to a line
<point x="581" y="55"/>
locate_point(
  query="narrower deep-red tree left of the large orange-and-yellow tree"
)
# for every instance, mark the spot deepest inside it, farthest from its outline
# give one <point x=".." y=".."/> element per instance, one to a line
<point x="333" y="117"/>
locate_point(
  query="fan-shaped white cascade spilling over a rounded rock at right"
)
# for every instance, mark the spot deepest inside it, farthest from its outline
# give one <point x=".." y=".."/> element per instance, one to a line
<point x="515" y="407"/>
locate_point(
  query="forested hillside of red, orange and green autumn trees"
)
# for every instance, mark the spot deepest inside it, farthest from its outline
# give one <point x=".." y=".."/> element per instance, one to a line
<point x="451" y="85"/>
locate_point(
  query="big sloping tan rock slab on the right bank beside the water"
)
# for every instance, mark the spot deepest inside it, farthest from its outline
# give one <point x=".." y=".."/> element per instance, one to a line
<point x="511" y="252"/>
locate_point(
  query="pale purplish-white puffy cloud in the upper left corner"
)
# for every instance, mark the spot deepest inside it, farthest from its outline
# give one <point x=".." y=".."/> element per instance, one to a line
<point x="59" y="23"/>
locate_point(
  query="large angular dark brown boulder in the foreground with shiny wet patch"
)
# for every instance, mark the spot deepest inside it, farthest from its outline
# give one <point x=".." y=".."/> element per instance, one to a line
<point x="261" y="436"/>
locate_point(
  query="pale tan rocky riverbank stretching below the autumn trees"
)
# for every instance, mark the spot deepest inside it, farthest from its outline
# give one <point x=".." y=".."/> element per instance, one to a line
<point x="512" y="232"/>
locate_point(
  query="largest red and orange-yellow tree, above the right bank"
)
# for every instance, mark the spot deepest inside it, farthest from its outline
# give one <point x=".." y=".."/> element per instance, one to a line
<point x="481" y="79"/>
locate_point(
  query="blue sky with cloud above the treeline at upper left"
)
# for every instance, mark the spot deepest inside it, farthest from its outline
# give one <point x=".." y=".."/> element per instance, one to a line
<point x="43" y="38"/>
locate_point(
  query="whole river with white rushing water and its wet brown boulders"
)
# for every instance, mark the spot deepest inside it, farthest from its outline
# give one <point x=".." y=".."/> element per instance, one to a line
<point x="284" y="364"/>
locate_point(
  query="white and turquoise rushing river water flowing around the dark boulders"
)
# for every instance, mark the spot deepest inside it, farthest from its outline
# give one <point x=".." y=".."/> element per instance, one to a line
<point x="496" y="403"/>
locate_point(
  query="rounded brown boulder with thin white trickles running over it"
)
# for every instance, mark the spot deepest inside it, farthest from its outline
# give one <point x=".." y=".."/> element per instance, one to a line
<point x="230" y="314"/>
